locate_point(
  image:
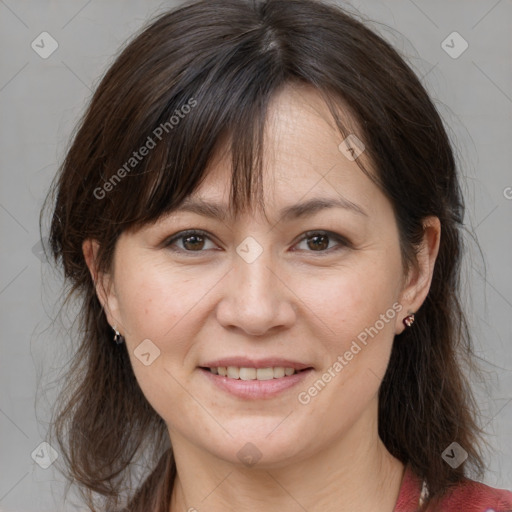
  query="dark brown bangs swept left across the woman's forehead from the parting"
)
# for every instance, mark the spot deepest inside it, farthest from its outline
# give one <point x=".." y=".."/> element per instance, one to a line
<point x="223" y="110"/>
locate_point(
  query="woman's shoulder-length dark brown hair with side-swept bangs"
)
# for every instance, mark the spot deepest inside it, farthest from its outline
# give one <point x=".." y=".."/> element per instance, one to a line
<point x="224" y="59"/>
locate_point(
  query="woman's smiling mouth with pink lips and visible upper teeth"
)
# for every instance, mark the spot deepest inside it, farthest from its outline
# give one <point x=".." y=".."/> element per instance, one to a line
<point x="250" y="379"/>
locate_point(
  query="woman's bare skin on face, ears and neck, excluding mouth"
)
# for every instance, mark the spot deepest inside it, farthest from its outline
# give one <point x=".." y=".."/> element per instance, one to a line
<point x="294" y="301"/>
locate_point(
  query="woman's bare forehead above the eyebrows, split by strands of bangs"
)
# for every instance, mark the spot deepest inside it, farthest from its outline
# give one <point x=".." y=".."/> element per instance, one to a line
<point x="302" y="163"/>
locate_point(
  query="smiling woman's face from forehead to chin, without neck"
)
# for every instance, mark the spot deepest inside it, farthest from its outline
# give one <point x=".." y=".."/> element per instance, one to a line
<point x="255" y="293"/>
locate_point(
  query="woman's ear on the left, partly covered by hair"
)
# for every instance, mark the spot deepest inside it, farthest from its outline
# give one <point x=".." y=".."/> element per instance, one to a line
<point x="103" y="283"/>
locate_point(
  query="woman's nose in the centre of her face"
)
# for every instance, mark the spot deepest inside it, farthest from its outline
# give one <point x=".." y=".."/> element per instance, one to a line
<point x="256" y="299"/>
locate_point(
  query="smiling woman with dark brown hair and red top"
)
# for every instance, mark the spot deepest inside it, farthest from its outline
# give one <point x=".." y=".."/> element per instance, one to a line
<point x="261" y="214"/>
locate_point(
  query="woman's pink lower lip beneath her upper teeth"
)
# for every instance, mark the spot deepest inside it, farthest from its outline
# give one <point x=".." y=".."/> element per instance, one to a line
<point x="256" y="389"/>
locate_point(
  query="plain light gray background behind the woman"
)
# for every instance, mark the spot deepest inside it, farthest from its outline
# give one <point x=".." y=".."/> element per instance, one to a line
<point x="41" y="100"/>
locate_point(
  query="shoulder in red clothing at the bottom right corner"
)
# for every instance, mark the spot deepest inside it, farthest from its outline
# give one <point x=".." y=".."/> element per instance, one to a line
<point x="471" y="496"/>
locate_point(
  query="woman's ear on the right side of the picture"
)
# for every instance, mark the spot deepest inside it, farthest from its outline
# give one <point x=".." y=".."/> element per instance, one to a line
<point x="419" y="278"/>
